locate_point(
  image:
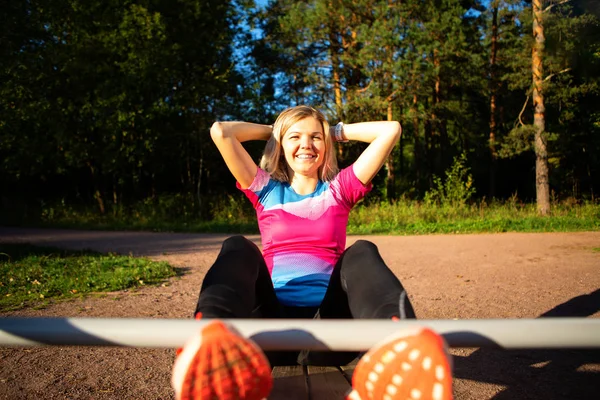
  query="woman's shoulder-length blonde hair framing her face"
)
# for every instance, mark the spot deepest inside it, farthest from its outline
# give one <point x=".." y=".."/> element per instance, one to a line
<point x="273" y="160"/>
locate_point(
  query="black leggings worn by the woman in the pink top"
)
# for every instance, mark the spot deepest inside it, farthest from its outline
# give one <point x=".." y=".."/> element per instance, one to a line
<point x="238" y="285"/>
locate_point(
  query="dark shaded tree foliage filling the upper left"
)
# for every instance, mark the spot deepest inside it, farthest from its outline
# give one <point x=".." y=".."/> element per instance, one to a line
<point x="113" y="100"/>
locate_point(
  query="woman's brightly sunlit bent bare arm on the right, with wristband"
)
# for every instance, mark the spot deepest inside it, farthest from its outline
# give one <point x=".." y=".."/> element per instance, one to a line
<point x="382" y="136"/>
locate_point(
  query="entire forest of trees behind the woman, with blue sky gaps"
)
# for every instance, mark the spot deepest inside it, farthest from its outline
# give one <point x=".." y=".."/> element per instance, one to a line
<point x="106" y="106"/>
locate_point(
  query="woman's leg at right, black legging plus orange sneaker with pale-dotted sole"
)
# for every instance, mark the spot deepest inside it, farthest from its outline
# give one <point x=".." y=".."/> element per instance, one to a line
<point x="410" y="364"/>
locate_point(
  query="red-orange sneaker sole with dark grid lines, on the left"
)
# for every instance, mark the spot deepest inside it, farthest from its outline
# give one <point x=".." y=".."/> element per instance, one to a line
<point x="220" y="364"/>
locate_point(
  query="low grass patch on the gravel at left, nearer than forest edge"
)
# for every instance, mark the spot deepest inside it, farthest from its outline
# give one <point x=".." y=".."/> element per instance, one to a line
<point x="31" y="275"/>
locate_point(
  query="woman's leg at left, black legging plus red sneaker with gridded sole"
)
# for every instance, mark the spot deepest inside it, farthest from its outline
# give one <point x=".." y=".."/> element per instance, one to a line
<point x="218" y="363"/>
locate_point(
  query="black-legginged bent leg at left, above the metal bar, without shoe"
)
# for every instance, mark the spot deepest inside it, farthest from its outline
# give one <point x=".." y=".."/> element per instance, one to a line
<point x="238" y="284"/>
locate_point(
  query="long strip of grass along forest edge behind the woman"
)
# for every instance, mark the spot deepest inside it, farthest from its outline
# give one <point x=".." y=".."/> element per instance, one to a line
<point x="403" y="217"/>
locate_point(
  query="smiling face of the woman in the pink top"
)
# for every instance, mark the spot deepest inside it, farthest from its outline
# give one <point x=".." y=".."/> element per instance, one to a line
<point x="303" y="146"/>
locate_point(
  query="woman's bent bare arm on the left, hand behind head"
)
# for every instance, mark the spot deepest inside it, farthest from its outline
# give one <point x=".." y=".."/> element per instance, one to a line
<point x="228" y="136"/>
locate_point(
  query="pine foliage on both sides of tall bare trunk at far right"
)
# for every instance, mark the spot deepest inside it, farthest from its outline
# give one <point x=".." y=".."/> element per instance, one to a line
<point x="570" y="53"/>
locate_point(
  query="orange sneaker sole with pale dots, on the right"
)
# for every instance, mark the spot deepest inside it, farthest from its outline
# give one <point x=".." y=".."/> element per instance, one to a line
<point x="409" y="365"/>
